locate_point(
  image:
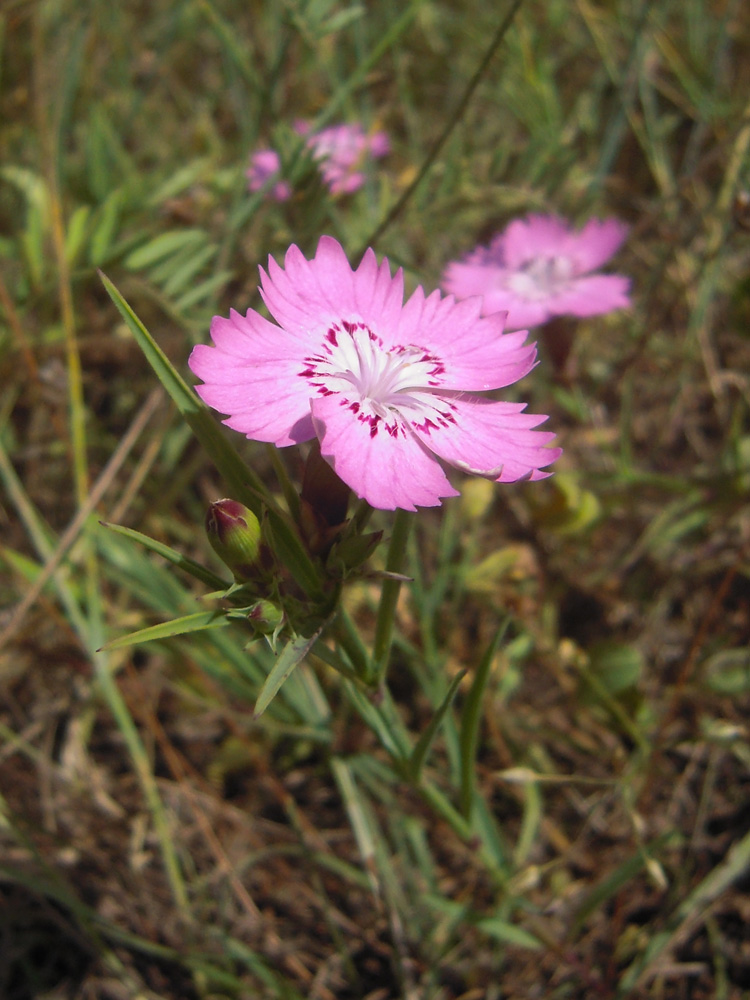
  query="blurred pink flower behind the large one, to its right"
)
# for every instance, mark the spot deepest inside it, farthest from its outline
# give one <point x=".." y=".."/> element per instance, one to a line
<point x="538" y="268"/>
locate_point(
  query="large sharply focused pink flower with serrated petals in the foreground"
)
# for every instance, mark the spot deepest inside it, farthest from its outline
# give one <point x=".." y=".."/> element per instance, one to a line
<point x="388" y="387"/>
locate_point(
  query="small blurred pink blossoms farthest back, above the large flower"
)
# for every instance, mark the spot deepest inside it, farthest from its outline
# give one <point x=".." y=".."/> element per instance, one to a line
<point x="339" y="151"/>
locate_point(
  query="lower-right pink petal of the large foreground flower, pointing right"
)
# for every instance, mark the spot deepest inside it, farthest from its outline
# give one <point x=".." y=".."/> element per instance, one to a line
<point x="493" y="439"/>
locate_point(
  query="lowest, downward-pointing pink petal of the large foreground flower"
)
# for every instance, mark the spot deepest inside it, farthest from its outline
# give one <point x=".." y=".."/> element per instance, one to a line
<point x="388" y="472"/>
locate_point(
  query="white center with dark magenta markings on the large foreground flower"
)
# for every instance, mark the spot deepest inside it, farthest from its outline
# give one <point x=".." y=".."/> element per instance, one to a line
<point x="389" y="387"/>
